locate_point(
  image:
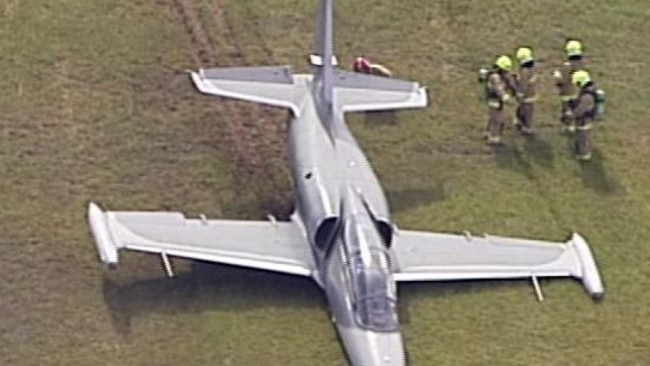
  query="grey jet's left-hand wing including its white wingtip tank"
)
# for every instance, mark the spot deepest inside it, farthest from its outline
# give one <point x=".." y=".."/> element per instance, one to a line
<point x="273" y="246"/>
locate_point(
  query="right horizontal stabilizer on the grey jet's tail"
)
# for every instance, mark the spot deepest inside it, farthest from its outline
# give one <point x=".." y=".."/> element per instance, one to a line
<point x="357" y="92"/>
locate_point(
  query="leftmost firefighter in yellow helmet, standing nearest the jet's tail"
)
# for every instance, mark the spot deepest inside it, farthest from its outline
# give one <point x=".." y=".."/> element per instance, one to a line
<point x="497" y="92"/>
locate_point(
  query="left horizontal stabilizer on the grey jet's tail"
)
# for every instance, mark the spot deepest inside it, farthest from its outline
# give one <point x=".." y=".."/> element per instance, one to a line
<point x="272" y="85"/>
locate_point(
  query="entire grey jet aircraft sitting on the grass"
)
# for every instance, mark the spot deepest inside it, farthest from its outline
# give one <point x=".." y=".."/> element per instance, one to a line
<point x="341" y="234"/>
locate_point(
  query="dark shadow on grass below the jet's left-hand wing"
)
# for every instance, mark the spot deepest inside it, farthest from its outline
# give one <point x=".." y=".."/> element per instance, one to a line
<point x="207" y="287"/>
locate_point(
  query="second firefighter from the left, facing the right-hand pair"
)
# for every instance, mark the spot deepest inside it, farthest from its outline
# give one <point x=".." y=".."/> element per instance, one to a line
<point x="525" y="89"/>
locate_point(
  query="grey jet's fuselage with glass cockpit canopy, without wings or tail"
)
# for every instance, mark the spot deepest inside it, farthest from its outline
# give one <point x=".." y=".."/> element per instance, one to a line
<point x="343" y="211"/>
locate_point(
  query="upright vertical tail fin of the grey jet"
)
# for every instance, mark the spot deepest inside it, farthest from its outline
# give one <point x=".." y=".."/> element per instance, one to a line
<point x="324" y="72"/>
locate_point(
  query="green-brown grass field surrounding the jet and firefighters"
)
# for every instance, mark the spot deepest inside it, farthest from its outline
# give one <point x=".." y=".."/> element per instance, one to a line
<point x="95" y="105"/>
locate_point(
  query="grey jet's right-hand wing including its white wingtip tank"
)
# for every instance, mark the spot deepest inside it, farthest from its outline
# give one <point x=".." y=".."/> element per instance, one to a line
<point x="423" y="256"/>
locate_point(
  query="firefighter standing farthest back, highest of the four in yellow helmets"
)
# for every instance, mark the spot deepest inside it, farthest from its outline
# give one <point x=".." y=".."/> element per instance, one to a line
<point x="574" y="61"/>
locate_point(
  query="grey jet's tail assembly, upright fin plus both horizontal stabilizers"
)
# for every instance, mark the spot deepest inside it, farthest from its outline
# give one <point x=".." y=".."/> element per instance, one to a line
<point x="333" y="89"/>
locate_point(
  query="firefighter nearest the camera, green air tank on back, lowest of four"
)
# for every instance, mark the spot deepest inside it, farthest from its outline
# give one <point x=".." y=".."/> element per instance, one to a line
<point x="584" y="112"/>
